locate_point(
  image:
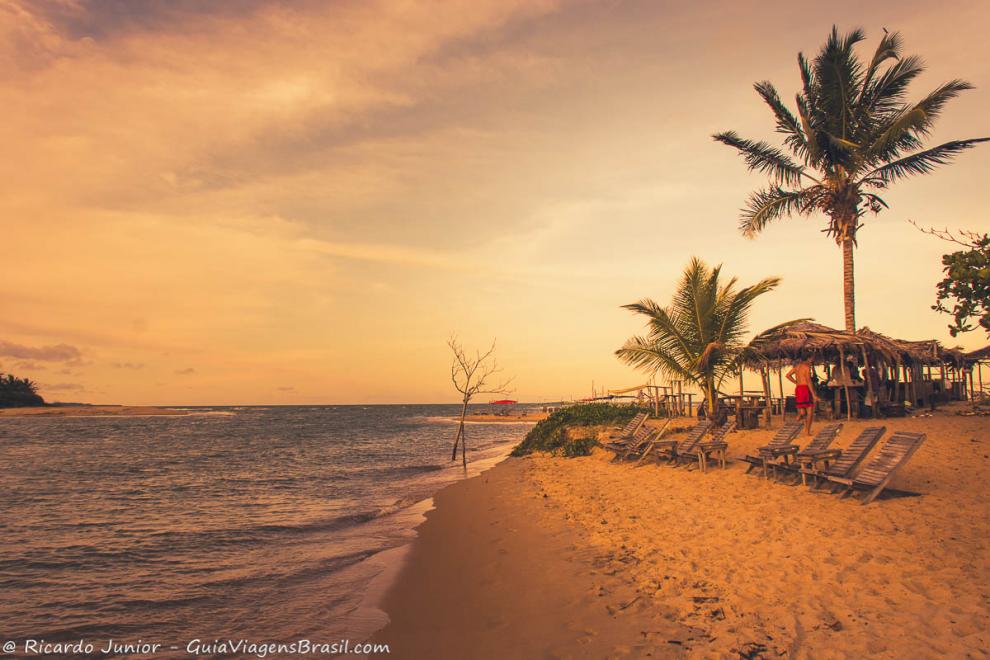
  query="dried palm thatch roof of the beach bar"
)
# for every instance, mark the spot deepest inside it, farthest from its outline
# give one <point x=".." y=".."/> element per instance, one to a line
<point x="805" y="338"/>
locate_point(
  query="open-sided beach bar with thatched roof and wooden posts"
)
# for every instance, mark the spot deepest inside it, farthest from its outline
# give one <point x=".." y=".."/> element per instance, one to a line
<point x="894" y="371"/>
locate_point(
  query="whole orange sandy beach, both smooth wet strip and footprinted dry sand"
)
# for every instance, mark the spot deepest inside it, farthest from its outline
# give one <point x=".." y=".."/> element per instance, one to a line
<point x="553" y="557"/>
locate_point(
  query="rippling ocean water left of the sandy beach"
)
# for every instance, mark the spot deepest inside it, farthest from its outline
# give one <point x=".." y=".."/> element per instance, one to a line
<point x="259" y="523"/>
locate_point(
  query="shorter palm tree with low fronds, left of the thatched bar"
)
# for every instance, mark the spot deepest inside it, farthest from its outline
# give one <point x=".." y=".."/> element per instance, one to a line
<point x="698" y="337"/>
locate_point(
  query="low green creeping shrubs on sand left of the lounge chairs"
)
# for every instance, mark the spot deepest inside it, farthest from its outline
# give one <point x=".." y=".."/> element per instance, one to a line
<point x="551" y="434"/>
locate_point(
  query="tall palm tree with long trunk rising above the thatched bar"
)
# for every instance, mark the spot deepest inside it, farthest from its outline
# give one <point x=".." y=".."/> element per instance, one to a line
<point x="853" y="134"/>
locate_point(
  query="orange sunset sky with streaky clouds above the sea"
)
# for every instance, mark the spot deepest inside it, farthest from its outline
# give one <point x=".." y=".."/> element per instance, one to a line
<point x="254" y="202"/>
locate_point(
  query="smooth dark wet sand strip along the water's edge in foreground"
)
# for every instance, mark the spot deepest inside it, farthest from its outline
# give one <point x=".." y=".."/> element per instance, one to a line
<point x="474" y="582"/>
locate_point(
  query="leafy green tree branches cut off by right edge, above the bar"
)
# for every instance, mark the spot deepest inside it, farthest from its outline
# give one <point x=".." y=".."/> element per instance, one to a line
<point x="967" y="285"/>
